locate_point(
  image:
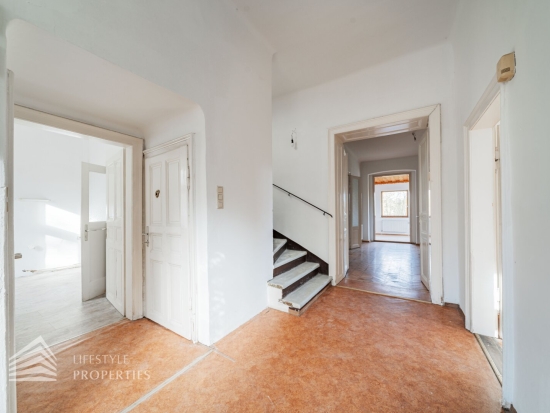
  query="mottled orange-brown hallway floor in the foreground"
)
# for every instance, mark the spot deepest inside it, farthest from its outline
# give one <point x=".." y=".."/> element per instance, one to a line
<point x="350" y="352"/>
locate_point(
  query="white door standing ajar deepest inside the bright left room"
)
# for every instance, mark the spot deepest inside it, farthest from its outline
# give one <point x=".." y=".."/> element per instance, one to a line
<point x="93" y="225"/>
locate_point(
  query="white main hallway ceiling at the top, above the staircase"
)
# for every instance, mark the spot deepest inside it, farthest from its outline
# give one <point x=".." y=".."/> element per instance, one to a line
<point x="320" y="40"/>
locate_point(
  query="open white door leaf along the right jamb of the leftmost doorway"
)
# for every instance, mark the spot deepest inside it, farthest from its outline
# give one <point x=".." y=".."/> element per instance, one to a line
<point x="115" y="231"/>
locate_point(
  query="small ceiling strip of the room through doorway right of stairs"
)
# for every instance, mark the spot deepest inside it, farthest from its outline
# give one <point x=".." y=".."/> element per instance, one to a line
<point x="385" y="147"/>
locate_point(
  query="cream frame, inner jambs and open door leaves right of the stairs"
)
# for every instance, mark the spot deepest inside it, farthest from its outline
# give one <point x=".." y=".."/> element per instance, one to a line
<point x="430" y="248"/>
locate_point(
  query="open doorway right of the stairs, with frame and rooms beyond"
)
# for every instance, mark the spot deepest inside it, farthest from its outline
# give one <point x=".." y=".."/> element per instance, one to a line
<point x="403" y="147"/>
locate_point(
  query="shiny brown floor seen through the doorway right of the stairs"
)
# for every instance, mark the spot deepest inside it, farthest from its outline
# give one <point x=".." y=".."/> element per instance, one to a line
<point x="387" y="268"/>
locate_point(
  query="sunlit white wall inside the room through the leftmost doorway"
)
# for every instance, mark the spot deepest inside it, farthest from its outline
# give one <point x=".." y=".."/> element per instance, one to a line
<point x="48" y="166"/>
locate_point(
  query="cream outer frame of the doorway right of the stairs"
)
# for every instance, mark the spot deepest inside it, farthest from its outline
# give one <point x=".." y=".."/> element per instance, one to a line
<point x="434" y="114"/>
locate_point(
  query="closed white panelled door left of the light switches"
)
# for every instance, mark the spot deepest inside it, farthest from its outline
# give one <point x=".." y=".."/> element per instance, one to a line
<point x="167" y="281"/>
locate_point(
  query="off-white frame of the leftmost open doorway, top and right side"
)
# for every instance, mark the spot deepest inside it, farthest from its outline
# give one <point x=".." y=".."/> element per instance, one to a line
<point x="133" y="199"/>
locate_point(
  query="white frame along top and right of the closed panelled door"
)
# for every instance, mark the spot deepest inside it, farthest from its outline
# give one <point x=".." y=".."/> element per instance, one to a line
<point x="186" y="140"/>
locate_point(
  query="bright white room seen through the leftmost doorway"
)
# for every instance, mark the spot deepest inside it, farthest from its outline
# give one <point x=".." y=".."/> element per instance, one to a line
<point x="51" y="300"/>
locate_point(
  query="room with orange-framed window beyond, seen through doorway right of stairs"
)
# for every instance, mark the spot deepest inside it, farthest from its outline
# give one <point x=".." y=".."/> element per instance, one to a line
<point x="388" y="260"/>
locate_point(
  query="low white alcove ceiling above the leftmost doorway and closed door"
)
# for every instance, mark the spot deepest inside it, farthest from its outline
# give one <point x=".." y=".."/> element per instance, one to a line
<point x="57" y="77"/>
